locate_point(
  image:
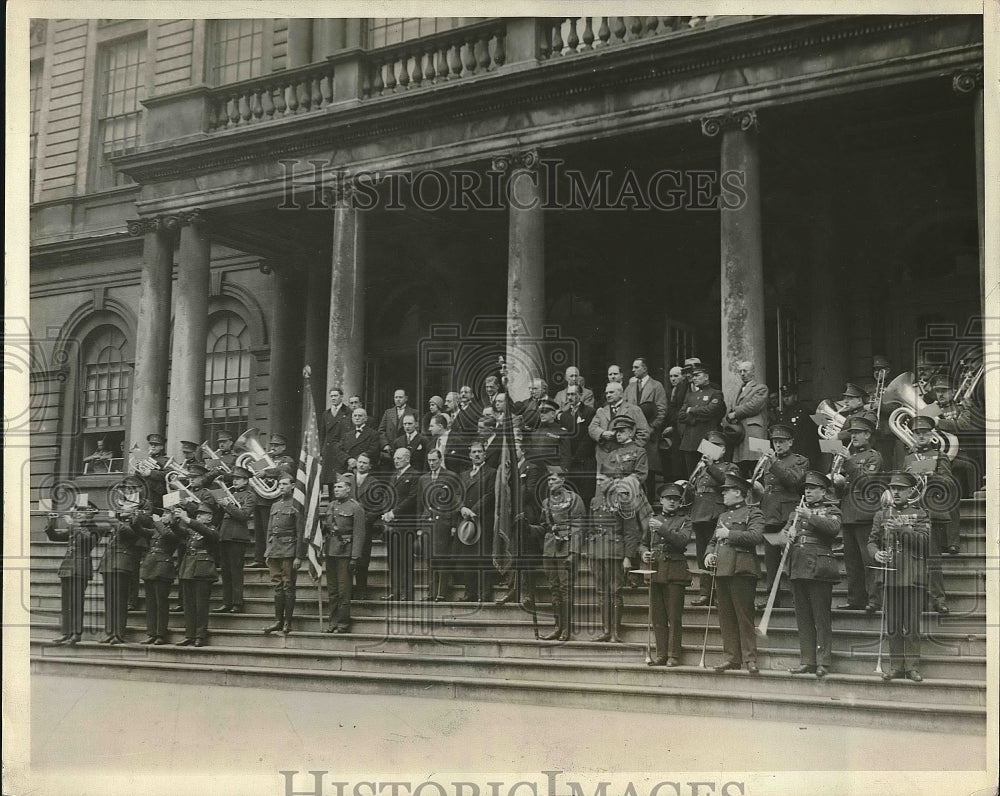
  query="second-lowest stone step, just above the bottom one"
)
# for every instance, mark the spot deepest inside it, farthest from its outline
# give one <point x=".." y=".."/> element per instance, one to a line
<point x="443" y="664"/>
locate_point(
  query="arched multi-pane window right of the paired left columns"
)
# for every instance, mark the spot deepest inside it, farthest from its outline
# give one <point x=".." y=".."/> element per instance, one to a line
<point x="227" y="375"/>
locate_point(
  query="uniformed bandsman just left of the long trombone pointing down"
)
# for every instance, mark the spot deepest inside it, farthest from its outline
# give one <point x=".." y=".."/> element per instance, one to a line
<point x="733" y="556"/>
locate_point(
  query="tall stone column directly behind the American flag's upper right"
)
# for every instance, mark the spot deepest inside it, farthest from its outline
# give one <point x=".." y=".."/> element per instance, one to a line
<point x="346" y="338"/>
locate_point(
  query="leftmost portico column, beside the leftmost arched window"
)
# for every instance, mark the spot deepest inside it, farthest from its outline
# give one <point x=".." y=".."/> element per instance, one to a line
<point x="152" y="343"/>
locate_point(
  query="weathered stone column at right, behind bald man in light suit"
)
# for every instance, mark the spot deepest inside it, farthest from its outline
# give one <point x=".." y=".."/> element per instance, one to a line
<point x="742" y="276"/>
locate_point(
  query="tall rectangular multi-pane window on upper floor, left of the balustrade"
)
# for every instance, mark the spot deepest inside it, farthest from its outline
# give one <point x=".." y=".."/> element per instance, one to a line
<point x="120" y="118"/>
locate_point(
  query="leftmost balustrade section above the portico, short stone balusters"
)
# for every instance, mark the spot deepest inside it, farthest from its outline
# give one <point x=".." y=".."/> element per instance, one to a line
<point x="279" y="95"/>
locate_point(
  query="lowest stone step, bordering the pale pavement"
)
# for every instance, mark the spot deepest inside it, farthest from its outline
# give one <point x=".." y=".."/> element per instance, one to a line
<point x="738" y="700"/>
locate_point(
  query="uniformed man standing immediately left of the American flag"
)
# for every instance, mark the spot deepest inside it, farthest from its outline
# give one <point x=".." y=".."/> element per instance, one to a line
<point x="286" y="547"/>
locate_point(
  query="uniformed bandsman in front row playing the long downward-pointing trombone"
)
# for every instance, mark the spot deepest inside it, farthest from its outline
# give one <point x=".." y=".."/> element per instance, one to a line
<point x="813" y="571"/>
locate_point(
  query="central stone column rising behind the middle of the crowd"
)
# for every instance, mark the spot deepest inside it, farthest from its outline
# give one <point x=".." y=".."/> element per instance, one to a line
<point x="525" y="269"/>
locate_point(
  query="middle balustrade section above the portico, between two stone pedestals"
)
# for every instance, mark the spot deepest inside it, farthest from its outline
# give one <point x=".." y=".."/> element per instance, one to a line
<point x="446" y="56"/>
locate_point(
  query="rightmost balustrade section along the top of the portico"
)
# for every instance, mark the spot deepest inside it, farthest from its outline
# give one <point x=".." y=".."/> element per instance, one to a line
<point x="563" y="36"/>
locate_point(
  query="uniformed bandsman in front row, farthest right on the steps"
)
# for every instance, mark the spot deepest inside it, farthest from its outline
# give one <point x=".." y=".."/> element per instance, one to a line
<point x="899" y="541"/>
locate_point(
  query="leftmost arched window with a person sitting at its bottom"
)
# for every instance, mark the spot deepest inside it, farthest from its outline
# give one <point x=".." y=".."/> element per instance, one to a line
<point x="107" y="382"/>
